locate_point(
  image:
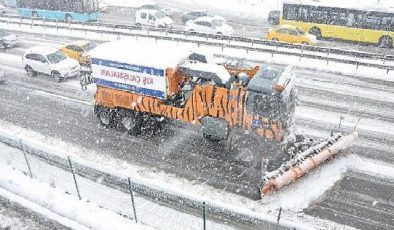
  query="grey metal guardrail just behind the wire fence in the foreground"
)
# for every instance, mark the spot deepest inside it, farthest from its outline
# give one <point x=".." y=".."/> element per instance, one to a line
<point x="166" y="198"/>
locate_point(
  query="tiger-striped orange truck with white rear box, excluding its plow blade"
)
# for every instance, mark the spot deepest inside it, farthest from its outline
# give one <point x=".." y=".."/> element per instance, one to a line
<point x="139" y="87"/>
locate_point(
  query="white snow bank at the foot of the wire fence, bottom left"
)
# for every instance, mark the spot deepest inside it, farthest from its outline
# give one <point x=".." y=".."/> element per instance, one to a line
<point x="87" y="214"/>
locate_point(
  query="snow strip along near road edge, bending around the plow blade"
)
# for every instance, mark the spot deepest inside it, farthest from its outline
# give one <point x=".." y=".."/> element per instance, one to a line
<point x="289" y="199"/>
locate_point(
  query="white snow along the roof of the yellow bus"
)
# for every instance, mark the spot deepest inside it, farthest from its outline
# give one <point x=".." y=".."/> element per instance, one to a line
<point x="368" y="5"/>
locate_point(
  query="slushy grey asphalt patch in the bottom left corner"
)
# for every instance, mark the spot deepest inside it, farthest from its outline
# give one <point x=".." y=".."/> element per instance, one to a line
<point x="17" y="217"/>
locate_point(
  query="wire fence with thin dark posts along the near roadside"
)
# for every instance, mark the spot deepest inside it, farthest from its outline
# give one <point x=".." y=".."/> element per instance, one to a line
<point x="140" y="202"/>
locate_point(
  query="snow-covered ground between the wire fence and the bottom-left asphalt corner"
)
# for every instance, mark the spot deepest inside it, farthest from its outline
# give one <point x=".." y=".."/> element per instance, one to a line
<point x="55" y="203"/>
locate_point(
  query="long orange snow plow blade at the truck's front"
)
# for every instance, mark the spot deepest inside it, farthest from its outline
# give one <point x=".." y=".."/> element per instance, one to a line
<point x="305" y="161"/>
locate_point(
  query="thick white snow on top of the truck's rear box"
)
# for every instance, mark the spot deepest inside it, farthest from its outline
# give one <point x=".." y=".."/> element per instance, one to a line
<point x="133" y="52"/>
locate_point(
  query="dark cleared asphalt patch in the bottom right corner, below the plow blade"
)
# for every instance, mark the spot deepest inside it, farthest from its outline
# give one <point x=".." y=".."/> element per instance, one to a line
<point x="369" y="199"/>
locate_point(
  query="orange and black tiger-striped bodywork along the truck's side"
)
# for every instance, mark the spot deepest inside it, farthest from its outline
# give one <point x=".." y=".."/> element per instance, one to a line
<point x="205" y="100"/>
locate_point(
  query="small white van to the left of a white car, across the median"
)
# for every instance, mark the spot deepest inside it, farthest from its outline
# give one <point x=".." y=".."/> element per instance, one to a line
<point x="155" y="18"/>
